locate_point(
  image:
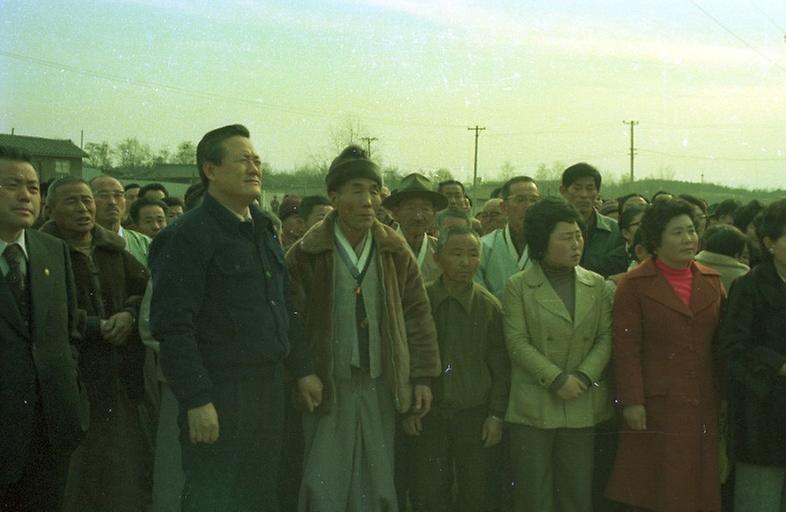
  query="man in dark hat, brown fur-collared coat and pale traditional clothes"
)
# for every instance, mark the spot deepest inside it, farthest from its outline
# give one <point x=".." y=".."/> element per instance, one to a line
<point x="353" y="279"/>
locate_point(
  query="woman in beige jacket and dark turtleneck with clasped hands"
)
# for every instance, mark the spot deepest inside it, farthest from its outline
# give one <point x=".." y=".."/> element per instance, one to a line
<point x="558" y="333"/>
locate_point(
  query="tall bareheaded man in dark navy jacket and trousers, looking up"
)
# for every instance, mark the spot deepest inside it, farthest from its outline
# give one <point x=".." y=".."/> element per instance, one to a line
<point x="221" y="312"/>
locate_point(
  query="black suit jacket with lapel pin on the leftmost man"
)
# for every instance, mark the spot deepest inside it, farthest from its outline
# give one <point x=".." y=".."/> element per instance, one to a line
<point x="38" y="369"/>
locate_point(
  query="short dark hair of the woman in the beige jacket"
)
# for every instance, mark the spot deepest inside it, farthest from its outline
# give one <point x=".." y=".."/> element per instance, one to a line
<point x="542" y="217"/>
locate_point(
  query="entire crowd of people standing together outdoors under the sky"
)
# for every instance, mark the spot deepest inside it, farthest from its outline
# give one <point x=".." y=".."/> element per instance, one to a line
<point x="380" y="350"/>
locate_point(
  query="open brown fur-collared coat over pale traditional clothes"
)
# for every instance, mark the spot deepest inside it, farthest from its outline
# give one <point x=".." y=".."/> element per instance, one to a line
<point x="410" y="353"/>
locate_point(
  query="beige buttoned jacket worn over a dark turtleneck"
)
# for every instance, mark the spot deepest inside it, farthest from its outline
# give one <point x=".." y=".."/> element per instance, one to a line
<point x="543" y="342"/>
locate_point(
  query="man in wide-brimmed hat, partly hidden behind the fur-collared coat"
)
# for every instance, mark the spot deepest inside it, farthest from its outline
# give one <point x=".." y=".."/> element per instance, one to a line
<point x="414" y="205"/>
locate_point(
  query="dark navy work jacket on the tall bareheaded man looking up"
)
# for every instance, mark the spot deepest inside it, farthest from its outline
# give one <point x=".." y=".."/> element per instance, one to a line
<point x="220" y="304"/>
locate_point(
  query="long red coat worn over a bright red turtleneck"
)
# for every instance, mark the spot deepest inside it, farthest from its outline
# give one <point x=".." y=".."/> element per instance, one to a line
<point x="663" y="357"/>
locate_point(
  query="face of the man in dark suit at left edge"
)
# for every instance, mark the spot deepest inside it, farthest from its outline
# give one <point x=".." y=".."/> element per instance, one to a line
<point x="20" y="196"/>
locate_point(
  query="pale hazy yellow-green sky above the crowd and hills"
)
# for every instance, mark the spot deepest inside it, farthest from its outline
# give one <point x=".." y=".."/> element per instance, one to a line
<point x="550" y="81"/>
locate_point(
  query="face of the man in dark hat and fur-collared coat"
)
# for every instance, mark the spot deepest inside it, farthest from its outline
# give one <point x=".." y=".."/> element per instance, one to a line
<point x="356" y="202"/>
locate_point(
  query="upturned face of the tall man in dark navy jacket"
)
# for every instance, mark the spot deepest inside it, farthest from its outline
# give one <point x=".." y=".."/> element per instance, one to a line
<point x="239" y="176"/>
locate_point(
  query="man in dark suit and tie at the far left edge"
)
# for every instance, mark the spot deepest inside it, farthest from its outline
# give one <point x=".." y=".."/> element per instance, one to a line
<point x="43" y="410"/>
